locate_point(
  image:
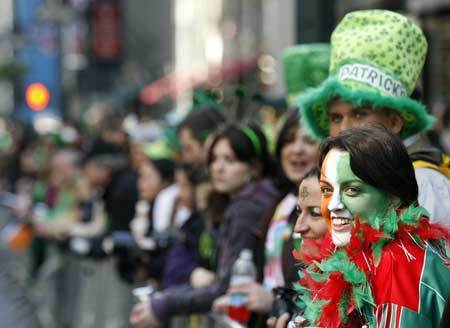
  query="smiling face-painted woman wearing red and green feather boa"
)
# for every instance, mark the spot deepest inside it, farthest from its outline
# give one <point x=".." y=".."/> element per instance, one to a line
<point x="383" y="265"/>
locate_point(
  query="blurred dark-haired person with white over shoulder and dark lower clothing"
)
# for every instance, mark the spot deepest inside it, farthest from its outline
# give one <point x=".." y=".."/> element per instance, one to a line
<point x="154" y="212"/>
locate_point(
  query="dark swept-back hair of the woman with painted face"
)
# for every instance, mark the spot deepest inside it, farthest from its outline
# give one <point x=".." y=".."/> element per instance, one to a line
<point x="379" y="158"/>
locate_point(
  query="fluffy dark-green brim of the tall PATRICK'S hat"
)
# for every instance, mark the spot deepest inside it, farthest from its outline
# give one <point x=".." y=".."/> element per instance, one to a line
<point x="314" y="116"/>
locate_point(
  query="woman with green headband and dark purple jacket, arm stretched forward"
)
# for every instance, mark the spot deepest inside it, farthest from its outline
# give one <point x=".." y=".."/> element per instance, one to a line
<point x="238" y="162"/>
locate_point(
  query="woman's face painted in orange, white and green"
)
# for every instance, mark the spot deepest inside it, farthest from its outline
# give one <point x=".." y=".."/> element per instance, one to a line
<point x="345" y="196"/>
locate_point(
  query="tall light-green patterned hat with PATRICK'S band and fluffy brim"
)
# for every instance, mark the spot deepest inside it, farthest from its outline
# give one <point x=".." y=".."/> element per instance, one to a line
<point x="376" y="60"/>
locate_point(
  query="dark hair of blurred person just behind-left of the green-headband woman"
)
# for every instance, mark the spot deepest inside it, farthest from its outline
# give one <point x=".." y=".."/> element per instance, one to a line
<point x="202" y="122"/>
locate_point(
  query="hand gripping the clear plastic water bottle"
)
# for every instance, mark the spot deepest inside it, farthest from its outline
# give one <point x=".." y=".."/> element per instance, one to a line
<point x="259" y="299"/>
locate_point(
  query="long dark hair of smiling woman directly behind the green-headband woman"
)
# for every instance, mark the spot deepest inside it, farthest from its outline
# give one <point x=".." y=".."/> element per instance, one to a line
<point x="281" y="181"/>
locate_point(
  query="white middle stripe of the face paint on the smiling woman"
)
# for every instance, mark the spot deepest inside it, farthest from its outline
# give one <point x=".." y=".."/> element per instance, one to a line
<point x="340" y="216"/>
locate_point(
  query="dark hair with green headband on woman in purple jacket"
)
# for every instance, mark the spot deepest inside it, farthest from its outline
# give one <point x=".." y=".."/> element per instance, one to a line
<point x="248" y="146"/>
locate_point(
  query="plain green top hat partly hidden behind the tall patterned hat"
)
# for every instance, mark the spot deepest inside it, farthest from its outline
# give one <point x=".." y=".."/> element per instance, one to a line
<point x="305" y="66"/>
